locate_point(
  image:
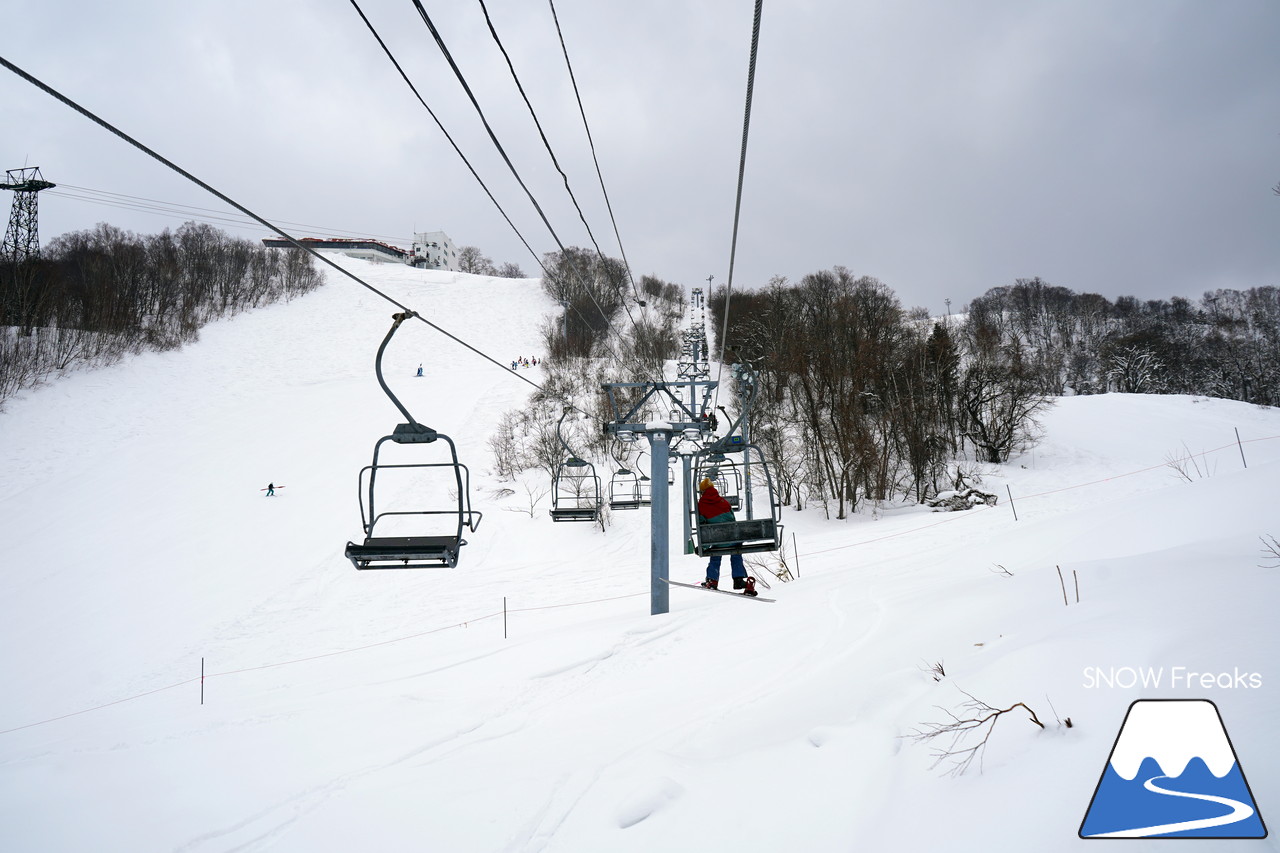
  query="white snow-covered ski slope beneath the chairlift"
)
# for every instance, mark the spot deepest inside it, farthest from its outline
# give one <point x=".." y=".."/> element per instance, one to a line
<point x="386" y="711"/>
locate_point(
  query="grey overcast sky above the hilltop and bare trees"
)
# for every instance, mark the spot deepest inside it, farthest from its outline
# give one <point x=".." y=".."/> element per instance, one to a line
<point x="1119" y="147"/>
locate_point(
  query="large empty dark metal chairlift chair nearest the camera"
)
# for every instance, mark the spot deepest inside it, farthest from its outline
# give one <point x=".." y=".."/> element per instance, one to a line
<point x="420" y="536"/>
